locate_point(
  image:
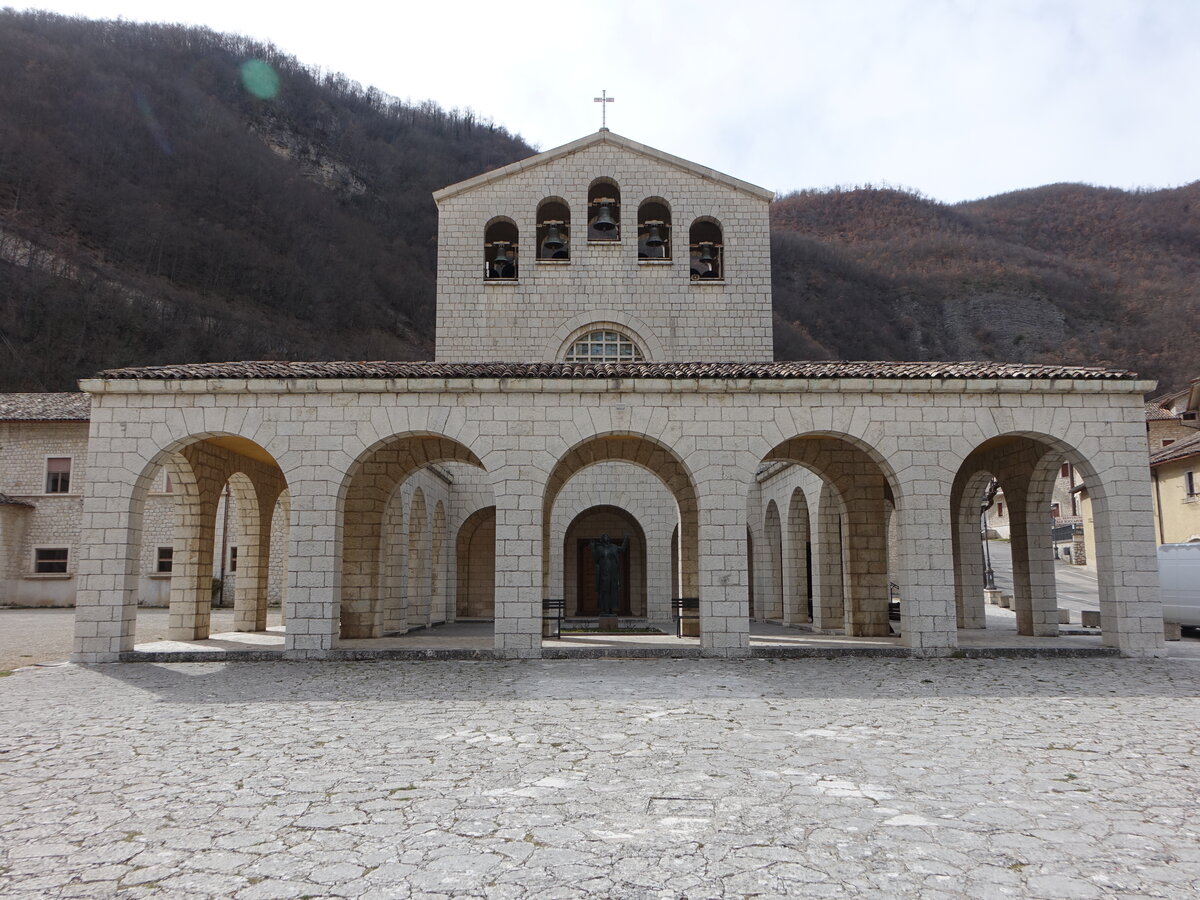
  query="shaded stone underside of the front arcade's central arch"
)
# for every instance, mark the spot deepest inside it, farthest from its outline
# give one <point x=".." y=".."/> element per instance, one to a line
<point x="653" y="457"/>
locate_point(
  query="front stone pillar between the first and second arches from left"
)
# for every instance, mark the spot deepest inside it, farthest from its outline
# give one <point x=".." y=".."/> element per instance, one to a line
<point x="315" y="563"/>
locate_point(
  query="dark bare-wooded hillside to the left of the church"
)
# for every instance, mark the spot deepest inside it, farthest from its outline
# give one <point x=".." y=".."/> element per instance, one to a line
<point x="160" y="203"/>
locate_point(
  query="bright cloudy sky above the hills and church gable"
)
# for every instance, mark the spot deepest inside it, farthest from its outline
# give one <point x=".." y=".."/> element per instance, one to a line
<point x="957" y="99"/>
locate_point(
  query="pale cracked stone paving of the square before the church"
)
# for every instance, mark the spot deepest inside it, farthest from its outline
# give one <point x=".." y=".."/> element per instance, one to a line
<point x="851" y="778"/>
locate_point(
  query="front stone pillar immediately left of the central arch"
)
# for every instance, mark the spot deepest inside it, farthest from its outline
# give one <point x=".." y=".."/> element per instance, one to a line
<point x="519" y="589"/>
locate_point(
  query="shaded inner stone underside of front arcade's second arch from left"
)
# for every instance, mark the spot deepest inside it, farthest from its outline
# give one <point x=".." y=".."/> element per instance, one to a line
<point x="363" y="500"/>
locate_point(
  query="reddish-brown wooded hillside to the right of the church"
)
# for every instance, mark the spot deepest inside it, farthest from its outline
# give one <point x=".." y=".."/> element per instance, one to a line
<point x="1064" y="273"/>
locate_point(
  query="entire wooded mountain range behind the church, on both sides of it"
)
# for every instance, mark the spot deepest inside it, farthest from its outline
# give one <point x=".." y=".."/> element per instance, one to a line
<point x="157" y="209"/>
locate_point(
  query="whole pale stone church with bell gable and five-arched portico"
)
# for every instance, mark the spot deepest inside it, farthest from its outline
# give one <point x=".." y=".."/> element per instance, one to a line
<point x="604" y="363"/>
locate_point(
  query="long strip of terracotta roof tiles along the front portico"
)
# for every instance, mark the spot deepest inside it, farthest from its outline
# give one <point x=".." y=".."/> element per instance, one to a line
<point x="819" y="370"/>
